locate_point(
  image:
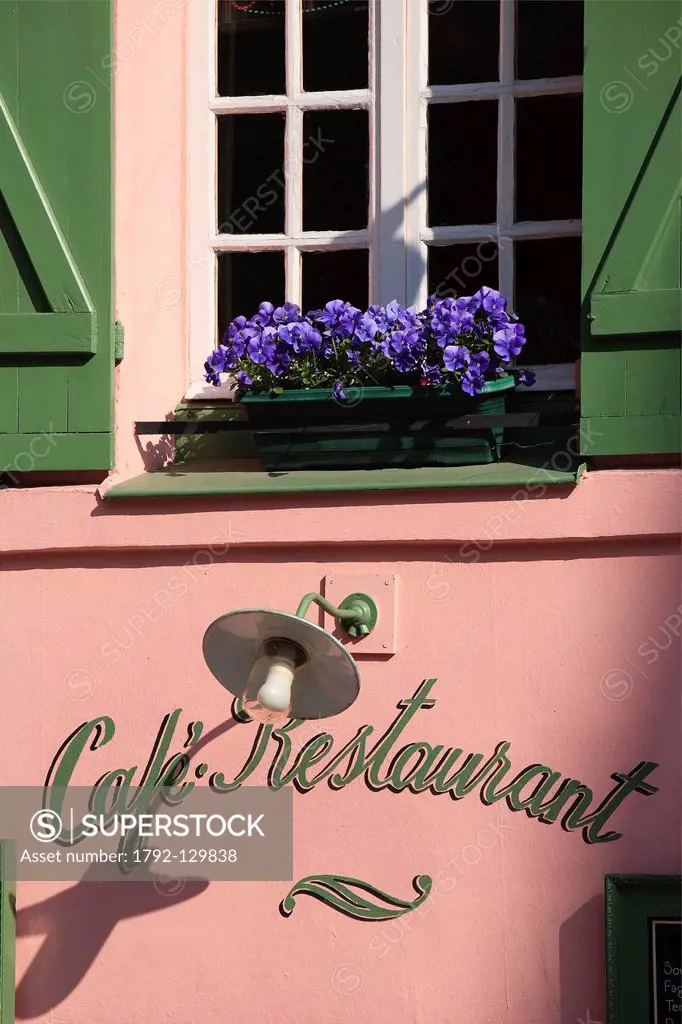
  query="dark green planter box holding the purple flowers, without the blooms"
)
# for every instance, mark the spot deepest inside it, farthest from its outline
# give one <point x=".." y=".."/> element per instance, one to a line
<point x="377" y="428"/>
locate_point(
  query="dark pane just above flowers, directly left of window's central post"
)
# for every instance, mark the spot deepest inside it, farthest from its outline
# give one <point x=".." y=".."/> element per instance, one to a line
<point x="343" y="275"/>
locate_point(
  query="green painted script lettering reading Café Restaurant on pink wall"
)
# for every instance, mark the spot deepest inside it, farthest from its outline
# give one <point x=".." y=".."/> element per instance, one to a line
<point x="418" y="766"/>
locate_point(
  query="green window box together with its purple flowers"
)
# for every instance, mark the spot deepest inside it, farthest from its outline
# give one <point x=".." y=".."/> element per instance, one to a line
<point x="389" y="388"/>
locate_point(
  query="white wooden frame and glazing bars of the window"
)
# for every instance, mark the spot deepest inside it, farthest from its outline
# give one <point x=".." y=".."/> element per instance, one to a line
<point x="398" y="235"/>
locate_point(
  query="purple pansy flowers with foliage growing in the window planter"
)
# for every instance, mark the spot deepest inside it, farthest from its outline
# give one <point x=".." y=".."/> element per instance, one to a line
<point x="467" y="340"/>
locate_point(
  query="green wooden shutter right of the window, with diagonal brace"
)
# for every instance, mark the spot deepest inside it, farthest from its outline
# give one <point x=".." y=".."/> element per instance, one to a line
<point x="631" y="228"/>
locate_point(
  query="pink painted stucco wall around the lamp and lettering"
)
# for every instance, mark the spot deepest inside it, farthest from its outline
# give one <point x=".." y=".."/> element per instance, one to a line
<point x="562" y="636"/>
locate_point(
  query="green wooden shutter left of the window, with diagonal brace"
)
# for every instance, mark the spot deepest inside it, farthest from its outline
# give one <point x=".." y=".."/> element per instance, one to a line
<point x="57" y="345"/>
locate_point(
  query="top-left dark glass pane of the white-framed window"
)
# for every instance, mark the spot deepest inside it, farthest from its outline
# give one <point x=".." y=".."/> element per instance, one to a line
<point x="251" y="49"/>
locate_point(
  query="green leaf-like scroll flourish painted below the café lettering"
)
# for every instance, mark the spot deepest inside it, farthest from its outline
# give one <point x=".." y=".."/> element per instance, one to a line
<point x="333" y="890"/>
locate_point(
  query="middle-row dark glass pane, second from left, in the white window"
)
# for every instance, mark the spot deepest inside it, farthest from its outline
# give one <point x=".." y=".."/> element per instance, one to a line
<point x="336" y="170"/>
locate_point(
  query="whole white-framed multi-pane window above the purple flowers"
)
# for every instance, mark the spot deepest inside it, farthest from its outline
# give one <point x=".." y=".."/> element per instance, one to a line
<point x="372" y="151"/>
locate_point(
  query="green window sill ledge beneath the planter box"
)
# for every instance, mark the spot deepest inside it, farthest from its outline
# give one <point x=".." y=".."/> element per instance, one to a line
<point x="248" y="479"/>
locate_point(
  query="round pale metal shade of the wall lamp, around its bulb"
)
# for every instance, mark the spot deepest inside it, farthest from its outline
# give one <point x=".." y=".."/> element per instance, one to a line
<point x="326" y="680"/>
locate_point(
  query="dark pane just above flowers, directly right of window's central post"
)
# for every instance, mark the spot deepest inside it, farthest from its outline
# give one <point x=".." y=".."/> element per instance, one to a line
<point x="462" y="270"/>
